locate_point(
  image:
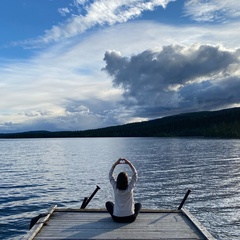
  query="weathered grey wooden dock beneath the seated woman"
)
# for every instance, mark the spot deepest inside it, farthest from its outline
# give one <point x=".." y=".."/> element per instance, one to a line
<point x="63" y="223"/>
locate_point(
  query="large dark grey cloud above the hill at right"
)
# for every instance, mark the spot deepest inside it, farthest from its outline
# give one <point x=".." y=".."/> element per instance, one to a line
<point x="176" y="79"/>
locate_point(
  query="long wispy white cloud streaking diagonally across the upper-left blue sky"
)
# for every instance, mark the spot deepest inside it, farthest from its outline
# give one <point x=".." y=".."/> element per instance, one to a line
<point x="97" y="13"/>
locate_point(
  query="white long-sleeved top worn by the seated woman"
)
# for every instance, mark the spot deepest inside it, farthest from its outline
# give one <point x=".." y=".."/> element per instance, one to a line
<point x="124" y="201"/>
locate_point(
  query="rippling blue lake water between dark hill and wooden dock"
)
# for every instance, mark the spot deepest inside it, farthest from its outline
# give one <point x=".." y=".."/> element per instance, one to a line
<point x="38" y="173"/>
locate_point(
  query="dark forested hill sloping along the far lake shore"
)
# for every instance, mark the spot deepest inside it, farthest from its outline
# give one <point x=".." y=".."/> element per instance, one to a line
<point x="219" y="124"/>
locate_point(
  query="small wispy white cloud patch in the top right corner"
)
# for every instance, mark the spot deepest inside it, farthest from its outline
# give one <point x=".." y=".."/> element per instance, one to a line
<point x="212" y="10"/>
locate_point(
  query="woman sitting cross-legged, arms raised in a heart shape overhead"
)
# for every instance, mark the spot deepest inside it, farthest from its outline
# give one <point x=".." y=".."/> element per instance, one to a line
<point x="124" y="210"/>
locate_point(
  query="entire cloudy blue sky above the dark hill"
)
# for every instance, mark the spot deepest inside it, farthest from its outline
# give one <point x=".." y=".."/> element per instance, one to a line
<point x="68" y="65"/>
